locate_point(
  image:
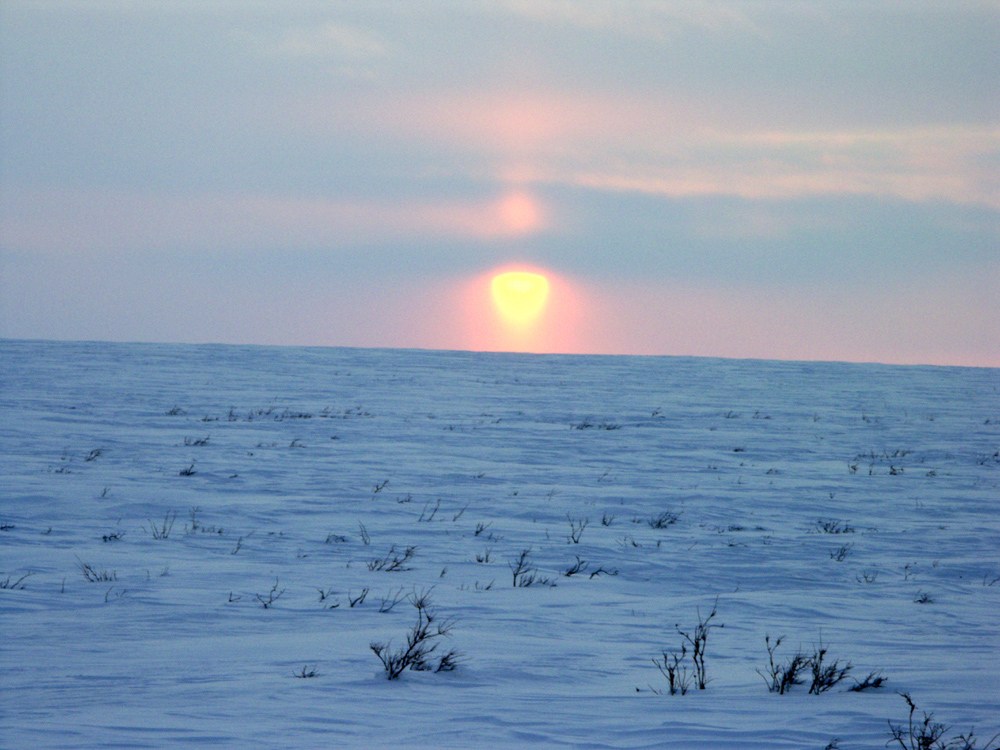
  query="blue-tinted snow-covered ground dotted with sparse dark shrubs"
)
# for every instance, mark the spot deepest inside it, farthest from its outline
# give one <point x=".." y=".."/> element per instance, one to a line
<point x="853" y="506"/>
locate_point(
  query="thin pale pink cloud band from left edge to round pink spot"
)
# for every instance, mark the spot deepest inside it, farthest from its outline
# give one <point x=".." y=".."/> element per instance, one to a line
<point x="101" y="220"/>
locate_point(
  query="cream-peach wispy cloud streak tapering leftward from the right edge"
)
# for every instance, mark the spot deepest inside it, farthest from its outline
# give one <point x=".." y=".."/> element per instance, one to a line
<point x="951" y="164"/>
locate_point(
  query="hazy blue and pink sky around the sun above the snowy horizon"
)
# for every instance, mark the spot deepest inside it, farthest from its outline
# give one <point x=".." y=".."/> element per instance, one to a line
<point x="765" y="179"/>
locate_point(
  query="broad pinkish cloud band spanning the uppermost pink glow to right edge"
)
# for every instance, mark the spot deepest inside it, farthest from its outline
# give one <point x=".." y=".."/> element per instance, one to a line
<point x="674" y="148"/>
